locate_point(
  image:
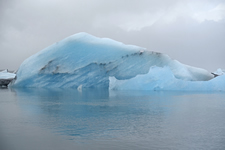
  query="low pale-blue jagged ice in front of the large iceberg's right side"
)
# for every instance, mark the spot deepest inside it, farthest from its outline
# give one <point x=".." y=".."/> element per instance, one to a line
<point x="163" y="79"/>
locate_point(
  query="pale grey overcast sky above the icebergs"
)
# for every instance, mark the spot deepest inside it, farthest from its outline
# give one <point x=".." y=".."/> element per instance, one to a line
<point x="190" y="31"/>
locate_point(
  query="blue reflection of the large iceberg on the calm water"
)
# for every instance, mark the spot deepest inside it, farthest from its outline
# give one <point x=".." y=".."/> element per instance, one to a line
<point x="92" y="112"/>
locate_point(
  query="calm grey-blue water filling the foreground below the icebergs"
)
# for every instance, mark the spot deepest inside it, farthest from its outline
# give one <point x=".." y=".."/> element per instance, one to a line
<point x="47" y="119"/>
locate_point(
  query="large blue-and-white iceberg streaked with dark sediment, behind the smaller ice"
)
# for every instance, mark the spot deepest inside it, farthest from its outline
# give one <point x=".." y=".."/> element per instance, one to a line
<point x="83" y="59"/>
